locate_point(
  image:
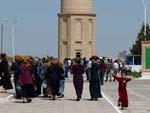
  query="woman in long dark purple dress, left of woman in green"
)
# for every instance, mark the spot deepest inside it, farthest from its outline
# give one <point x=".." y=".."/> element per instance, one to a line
<point x="77" y="71"/>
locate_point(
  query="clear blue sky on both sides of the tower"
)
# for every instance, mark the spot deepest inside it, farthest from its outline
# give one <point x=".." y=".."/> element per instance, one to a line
<point x="117" y="25"/>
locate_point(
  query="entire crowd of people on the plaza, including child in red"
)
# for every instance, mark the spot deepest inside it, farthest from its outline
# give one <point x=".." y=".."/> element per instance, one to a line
<point x="46" y="76"/>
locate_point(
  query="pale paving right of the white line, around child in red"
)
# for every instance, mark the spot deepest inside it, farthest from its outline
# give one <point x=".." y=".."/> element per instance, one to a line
<point x="138" y="92"/>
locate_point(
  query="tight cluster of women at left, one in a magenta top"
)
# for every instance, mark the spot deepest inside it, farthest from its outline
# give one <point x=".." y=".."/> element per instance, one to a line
<point x="40" y="77"/>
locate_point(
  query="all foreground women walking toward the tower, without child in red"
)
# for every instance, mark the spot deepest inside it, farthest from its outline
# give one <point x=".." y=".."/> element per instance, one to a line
<point x="46" y="77"/>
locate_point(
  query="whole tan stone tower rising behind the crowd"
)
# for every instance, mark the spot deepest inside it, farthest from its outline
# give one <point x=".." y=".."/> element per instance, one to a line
<point x="76" y="29"/>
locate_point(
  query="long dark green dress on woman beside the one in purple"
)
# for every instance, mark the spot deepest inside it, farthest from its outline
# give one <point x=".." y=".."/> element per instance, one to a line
<point x="95" y="88"/>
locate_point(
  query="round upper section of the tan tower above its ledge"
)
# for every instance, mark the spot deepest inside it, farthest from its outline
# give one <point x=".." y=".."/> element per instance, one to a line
<point x="77" y="6"/>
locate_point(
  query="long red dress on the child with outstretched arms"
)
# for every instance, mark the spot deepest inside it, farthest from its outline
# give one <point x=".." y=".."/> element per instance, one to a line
<point x="123" y="96"/>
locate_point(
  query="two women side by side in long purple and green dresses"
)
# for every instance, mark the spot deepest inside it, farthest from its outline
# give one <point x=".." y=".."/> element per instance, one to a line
<point x="94" y="82"/>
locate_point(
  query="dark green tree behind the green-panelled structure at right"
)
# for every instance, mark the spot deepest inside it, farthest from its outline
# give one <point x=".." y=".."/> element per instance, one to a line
<point x="136" y="47"/>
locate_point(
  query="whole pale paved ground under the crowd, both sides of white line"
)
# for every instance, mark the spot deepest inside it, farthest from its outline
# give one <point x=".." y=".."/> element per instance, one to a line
<point x="139" y="98"/>
